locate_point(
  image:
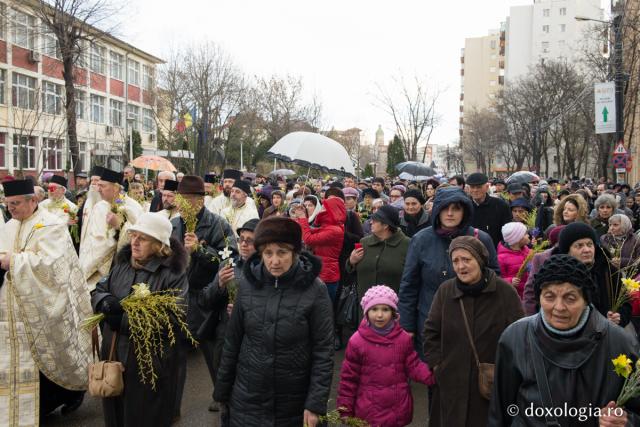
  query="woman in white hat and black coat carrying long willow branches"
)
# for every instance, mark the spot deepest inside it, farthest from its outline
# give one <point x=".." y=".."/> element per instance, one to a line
<point x="160" y="262"/>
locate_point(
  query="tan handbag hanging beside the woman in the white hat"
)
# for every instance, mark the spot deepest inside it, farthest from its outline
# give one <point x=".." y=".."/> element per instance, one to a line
<point x="105" y="376"/>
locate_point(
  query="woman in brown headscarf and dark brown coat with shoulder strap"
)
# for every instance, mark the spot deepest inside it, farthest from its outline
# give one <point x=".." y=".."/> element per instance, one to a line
<point x="489" y="305"/>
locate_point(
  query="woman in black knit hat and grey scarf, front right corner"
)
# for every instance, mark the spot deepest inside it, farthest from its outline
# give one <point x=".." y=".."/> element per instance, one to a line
<point x="561" y="357"/>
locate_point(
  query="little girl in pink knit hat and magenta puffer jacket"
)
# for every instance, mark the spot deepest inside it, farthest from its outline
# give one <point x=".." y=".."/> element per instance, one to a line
<point x="380" y="359"/>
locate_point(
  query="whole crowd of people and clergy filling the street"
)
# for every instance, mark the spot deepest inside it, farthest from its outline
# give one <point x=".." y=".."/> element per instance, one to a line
<point x="492" y="294"/>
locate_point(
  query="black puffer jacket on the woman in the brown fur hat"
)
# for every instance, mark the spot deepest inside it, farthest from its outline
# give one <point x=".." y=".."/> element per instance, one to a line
<point x="277" y="358"/>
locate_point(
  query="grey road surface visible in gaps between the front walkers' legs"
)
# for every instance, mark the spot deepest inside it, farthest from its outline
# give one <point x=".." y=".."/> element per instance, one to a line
<point x="197" y="398"/>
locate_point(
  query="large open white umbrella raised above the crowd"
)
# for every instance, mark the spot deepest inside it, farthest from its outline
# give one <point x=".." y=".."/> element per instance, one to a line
<point x="314" y="151"/>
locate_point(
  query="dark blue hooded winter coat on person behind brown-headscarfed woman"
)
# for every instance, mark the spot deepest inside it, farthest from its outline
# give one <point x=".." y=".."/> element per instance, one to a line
<point x="428" y="264"/>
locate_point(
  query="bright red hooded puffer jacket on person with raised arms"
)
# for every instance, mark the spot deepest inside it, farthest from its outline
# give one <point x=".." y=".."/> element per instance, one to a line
<point x="327" y="237"/>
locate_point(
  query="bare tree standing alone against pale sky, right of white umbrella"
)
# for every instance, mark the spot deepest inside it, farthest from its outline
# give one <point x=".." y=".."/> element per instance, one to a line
<point x="413" y="109"/>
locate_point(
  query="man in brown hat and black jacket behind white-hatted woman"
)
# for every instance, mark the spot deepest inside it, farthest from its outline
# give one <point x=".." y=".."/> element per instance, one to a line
<point x="212" y="236"/>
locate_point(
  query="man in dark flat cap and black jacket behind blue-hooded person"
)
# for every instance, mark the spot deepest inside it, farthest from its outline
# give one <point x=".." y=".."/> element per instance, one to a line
<point x="489" y="213"/>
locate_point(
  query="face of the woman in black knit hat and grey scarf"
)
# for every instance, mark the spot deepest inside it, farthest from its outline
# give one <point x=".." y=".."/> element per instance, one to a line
<point x="562" y="305"/>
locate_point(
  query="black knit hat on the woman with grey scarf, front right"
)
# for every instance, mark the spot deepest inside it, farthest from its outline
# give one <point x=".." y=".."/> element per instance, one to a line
<point x="561" y="269"/>
